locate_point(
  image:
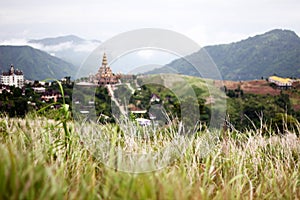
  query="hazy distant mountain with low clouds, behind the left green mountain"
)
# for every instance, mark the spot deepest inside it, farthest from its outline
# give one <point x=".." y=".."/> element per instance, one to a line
<point x="70" y="48"/>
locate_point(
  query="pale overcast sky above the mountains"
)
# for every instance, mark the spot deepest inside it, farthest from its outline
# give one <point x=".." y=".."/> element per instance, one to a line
<point x="206" y="22"/>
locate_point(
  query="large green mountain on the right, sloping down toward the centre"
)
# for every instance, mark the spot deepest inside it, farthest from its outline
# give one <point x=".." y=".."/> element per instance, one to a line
<point x="275" y="52"/>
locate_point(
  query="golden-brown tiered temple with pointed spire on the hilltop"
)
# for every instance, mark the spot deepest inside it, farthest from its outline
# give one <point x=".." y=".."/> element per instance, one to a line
<point x="104" y="76"/>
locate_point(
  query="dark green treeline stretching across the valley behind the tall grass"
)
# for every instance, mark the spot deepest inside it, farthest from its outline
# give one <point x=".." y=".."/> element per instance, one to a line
<point x="244" y="111"/>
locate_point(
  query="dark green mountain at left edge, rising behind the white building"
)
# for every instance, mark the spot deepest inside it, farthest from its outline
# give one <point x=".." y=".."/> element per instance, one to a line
<point x="36" y="64"/>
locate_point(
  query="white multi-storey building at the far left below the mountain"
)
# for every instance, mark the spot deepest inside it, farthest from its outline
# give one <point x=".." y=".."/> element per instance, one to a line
<point x="13" y="78"/>
